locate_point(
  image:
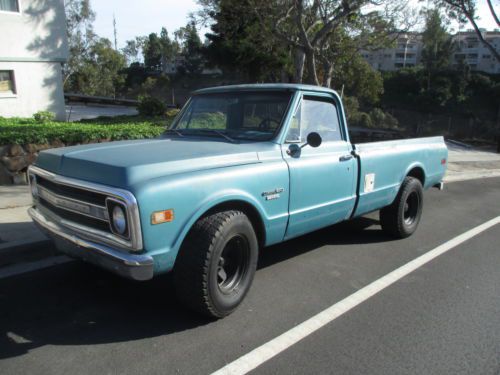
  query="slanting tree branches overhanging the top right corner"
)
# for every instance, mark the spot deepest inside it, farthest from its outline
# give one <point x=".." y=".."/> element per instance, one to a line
<point x="466" y="10"/>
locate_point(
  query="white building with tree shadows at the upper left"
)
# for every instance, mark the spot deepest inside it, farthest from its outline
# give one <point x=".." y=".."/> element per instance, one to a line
<point x="33" y="45"/>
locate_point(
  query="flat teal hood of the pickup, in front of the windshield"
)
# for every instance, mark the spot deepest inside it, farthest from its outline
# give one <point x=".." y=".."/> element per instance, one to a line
<point x="126" y="163"/>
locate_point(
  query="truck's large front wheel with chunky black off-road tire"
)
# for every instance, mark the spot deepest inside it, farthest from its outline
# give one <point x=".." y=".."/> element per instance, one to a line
<point x="216" y="264"/>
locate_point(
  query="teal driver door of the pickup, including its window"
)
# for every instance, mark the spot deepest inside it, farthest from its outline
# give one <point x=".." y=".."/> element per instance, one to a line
<point x="322" y="179"/>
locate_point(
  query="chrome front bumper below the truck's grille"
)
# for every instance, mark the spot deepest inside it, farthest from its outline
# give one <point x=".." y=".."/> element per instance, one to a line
<point x="136" y="267"/>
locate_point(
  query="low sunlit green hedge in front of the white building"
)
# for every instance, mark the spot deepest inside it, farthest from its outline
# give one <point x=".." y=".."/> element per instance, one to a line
<point x="24" y="131"/>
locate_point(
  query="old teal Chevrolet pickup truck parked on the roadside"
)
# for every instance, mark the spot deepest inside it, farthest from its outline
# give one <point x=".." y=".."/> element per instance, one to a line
<point x="241" y="168"/>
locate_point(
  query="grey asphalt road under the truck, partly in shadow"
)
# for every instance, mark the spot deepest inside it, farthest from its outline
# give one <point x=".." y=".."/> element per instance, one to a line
<point x="444" y="318"/>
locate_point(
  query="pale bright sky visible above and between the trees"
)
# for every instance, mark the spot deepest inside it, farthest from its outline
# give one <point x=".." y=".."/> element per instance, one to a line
<point x="136" y="18"/>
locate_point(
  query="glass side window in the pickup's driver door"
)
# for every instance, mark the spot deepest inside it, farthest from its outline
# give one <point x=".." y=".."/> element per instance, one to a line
<point x="315" y="115"/>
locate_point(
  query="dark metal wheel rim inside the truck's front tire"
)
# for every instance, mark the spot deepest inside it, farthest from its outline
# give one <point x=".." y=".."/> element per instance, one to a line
<point x="232" y="264"/>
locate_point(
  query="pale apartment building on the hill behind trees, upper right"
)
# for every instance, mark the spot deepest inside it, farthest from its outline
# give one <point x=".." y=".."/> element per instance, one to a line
<point x="407" y="52"/>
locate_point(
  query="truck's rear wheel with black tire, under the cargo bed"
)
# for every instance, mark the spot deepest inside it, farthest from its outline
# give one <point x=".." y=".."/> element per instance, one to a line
<point x="401" y="218"/>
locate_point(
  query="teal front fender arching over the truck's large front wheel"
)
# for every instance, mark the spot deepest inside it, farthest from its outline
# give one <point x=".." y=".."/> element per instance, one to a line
<point x="192" y="195"/>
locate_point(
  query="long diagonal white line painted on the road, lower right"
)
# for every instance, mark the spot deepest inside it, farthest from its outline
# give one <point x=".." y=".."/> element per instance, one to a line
<point x="265" y="352"/>
